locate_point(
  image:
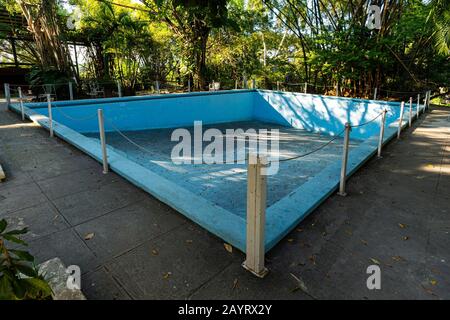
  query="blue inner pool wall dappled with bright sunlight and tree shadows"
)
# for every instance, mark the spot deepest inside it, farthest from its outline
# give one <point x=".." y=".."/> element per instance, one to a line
<point x="325" y="114"/>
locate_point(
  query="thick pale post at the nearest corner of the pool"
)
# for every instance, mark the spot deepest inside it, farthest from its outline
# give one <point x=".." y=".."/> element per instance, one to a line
<point x="256" y="215"/>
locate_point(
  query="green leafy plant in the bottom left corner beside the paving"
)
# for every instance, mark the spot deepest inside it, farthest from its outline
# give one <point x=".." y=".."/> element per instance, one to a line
<point x="19" y="276"/>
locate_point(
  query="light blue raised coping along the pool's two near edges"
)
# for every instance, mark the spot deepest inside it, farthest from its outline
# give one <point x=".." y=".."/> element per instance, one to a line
<point x="281" y="217"/>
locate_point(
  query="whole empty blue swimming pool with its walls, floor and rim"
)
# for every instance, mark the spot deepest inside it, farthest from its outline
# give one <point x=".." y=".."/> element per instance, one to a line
<point x="214" y="196"/>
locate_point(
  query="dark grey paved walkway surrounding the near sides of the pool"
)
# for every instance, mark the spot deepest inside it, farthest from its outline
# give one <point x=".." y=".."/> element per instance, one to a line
<point x="397" y="215"/>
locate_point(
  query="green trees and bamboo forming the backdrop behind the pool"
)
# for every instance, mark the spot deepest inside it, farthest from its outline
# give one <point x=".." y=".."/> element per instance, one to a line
<point x="326" y="43"/>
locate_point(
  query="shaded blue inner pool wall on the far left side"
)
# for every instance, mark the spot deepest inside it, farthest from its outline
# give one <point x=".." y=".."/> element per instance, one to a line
<point x="154" y="112"/>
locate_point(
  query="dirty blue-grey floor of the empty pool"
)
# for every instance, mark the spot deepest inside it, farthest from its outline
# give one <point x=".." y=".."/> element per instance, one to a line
<point x="225" y="184"/>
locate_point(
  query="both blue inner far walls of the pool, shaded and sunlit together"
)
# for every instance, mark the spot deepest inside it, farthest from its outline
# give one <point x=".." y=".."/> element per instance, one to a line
<point x="325" y="114"/>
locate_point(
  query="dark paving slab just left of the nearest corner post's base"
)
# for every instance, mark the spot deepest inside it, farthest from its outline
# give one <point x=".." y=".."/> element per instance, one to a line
<point x="172" y="266"/>
